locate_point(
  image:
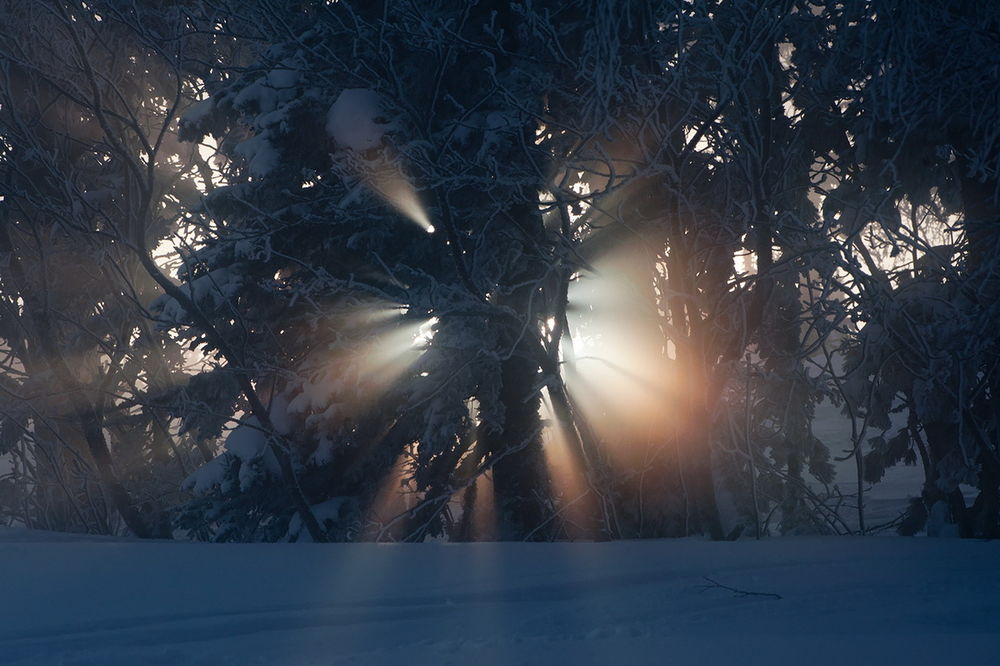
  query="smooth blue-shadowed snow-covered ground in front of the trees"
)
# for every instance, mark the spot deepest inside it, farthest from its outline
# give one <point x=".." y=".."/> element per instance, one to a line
<point x="874" y="600"/>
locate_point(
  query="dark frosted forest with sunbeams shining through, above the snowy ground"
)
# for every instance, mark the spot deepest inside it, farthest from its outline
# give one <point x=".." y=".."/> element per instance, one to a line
<point x="411" y="269"/>
